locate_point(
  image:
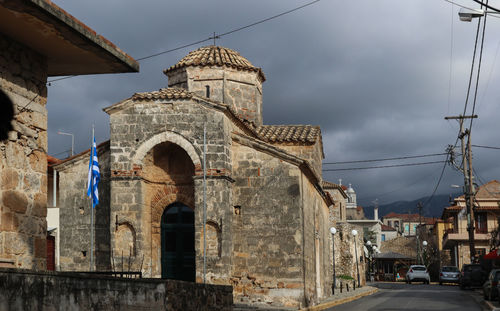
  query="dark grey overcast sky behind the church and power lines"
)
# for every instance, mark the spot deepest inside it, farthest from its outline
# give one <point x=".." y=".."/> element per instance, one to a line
<point x="375" y="75"/>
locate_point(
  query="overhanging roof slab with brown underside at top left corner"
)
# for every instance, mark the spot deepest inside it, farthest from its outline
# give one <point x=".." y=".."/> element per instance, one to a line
<point x="71" y="47"/>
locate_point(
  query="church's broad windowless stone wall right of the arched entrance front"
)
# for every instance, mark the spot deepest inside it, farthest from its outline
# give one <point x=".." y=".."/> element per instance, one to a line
<point x="267" y="230"/>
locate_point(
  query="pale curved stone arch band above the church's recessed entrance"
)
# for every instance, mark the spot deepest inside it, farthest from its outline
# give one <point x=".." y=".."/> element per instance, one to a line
<point x="162" y="137"/>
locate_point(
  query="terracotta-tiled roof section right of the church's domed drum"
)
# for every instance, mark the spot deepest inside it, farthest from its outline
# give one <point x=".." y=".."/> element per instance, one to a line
<point x="289" y="133"/>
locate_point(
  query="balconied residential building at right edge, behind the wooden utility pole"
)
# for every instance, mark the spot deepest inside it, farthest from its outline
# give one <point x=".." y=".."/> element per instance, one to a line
<point x="486" y="213"/>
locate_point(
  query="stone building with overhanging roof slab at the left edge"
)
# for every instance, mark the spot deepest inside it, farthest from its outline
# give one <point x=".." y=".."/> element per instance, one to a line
<point x="38" y="40"/>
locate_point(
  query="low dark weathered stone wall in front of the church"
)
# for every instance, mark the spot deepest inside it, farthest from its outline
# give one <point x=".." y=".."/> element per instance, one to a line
<point x="25" y="290"/>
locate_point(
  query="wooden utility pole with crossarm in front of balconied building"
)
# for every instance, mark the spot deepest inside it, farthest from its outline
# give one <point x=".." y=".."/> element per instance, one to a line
<point x="469" y="191"/>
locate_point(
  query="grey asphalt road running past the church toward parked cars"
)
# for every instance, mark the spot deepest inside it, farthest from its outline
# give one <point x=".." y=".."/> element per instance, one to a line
<point x="416" y="297"/>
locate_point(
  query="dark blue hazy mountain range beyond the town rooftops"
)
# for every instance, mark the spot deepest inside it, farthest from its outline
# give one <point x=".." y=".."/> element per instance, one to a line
<point x="434" y="208"/>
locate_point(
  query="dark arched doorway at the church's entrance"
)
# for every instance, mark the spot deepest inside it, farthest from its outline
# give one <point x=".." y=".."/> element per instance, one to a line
<point x="177" y="243"/>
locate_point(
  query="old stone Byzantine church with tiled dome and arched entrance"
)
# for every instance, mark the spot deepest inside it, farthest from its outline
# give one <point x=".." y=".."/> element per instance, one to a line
<point x="267" y="214"/>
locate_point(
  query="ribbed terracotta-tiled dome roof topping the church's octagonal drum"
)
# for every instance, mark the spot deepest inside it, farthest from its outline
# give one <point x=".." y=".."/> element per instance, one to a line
<point x="216" y="56"/>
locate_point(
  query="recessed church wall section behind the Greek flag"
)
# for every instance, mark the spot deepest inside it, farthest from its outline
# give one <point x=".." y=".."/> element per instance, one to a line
<point x="75" y="208"/>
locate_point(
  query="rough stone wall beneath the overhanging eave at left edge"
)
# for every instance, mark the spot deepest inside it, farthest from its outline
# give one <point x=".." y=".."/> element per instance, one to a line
<point x="23" y="158"/>
